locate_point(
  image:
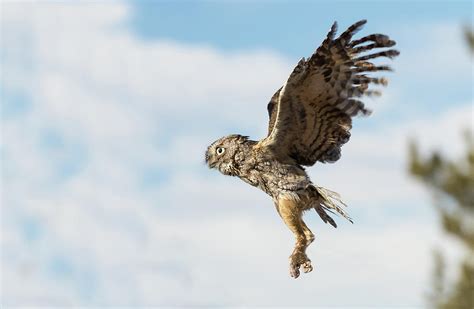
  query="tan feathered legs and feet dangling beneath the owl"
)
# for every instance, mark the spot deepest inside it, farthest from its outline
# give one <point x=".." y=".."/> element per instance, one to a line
<point x="291" y="213"/>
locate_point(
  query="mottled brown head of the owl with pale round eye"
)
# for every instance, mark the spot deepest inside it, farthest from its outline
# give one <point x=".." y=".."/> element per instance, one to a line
<point x="224" y="153"/>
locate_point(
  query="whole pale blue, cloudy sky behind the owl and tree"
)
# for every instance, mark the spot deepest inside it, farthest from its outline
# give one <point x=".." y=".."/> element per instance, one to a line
<point x="107" y="109"/>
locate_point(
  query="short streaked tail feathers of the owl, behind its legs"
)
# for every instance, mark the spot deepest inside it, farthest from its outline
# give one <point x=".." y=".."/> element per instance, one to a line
<point x="330" y="201"/>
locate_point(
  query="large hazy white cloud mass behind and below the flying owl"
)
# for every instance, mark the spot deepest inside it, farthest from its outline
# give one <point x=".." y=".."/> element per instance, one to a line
<point x="131" y="106"/>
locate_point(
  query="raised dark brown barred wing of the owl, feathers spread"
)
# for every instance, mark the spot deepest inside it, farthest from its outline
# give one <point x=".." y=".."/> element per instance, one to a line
<point x="311" y="115"/>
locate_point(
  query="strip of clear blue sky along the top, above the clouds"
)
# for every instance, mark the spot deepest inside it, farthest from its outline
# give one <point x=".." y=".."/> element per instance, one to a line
<point x="290" y="27"/>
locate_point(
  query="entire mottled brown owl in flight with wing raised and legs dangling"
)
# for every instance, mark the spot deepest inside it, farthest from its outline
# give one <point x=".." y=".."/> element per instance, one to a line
<point x="310" y="120"/>
